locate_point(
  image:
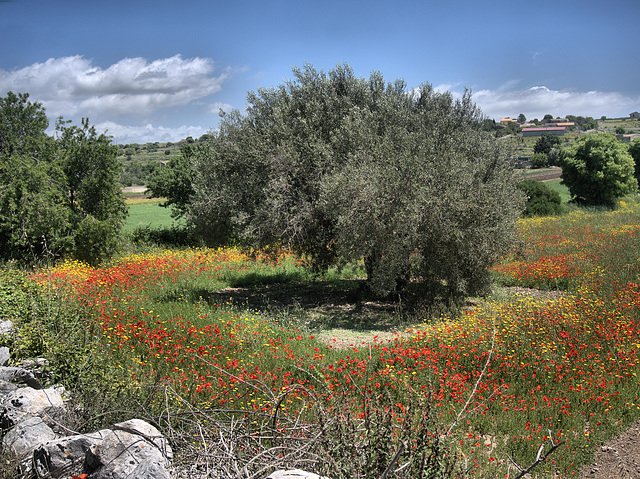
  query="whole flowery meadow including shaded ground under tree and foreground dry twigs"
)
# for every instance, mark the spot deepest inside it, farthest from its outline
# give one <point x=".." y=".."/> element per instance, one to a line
<point x="198" y="340"/>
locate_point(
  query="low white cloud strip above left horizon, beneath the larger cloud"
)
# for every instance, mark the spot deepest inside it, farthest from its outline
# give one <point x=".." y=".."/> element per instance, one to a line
<point x="148" y="133"/>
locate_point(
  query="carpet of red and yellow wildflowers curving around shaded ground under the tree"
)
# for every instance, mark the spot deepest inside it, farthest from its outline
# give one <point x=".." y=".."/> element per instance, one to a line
<point x="498" y="381"/>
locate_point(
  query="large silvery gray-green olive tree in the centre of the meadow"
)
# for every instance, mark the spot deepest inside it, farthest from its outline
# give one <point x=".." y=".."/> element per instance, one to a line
<point x="338" y="168"/>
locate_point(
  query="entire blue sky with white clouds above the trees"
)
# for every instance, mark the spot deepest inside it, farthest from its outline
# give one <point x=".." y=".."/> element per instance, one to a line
<point x="145" y="71"/>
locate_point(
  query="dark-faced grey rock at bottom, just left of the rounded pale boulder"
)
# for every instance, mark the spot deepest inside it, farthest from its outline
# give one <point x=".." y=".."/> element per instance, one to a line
<point x="65" y="456"/>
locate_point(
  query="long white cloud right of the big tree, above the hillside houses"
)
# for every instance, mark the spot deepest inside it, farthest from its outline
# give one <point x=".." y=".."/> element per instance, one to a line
<point x="537" y="101"/>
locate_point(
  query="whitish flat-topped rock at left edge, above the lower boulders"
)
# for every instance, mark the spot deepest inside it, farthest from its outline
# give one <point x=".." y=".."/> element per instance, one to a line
<point x="23" y="402"/>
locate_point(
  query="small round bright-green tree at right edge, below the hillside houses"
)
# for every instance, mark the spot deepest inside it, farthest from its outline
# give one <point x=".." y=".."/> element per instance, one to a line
<point x="598" y="170"/>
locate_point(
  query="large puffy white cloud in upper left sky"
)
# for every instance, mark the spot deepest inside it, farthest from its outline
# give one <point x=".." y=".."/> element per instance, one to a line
<point x="73" y="85"/>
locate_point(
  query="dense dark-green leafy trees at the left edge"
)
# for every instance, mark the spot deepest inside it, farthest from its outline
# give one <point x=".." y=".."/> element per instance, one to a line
<point x="57" y="196"/>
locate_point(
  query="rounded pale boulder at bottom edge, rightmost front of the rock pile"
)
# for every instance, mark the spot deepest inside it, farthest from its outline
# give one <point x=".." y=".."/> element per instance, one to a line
<point x="118" y="455"/>
